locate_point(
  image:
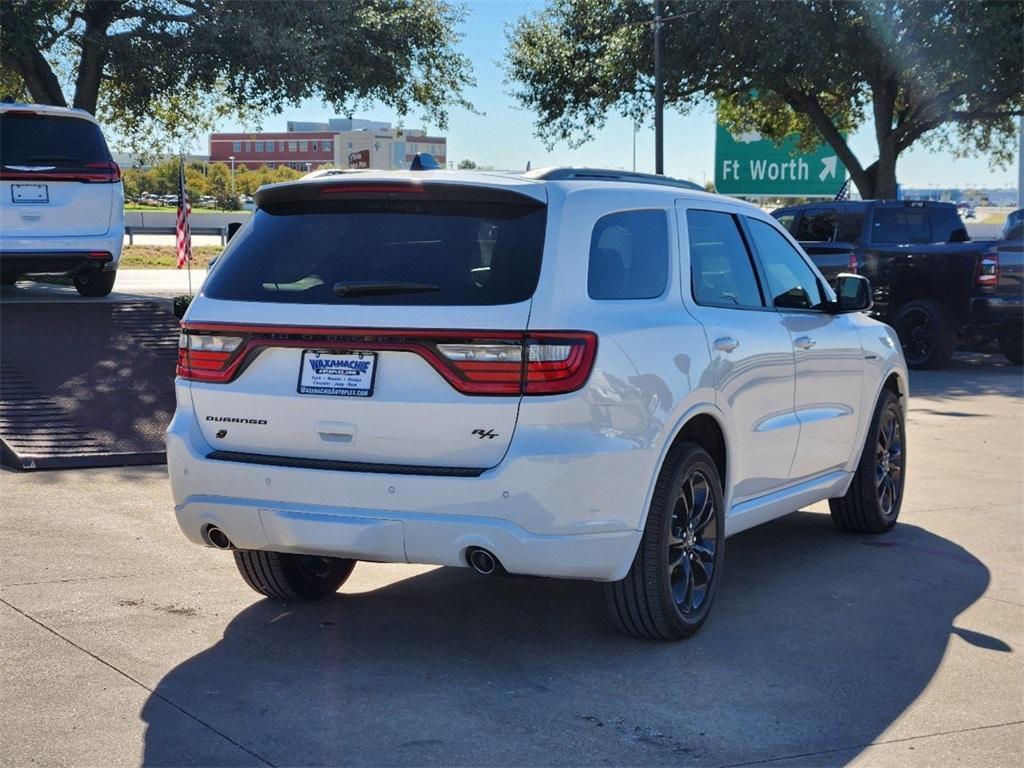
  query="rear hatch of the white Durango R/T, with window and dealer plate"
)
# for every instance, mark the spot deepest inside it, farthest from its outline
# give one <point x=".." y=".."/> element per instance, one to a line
<point x="375" y="323"/>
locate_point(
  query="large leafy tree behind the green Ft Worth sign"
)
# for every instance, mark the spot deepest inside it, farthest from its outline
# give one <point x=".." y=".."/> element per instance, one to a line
<point x="947" y="73"/>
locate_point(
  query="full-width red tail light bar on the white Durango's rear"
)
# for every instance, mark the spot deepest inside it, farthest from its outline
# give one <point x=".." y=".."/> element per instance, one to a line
<point x="483" y="363"/>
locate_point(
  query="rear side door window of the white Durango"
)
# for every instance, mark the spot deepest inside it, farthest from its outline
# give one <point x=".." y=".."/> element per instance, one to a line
<point x="721" y="272"/>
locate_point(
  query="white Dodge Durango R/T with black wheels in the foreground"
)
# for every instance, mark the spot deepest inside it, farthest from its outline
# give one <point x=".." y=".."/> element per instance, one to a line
<point x="562" y="373"/>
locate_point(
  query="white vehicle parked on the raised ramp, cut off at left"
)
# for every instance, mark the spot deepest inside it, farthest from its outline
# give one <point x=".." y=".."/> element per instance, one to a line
<point x="62" y="202"/>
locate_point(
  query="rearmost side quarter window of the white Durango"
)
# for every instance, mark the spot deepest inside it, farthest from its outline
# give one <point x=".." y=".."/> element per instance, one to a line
<point x="629" y="257"/>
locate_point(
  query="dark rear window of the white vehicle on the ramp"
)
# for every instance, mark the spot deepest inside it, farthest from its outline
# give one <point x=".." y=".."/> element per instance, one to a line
<point x="46" y="140"/>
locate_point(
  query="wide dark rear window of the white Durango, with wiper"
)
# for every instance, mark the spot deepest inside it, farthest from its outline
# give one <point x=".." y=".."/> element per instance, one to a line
<point x="385" y="252"/>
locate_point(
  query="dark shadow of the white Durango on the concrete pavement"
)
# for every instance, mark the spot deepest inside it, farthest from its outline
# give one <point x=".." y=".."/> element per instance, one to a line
<point x="818" y="642"/>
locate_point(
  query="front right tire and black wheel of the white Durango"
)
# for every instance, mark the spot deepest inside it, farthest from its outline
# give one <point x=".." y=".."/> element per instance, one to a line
<point x="876" y="495"/>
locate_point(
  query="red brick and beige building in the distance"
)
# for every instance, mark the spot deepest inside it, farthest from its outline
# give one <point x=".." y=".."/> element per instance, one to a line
<point x="342" y="143"/>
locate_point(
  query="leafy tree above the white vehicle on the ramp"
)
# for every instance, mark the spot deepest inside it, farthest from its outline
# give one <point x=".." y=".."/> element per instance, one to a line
<point x="177" y="66"/>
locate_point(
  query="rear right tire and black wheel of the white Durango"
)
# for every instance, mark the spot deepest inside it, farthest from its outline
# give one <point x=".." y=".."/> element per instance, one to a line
<point x="660" y="599"/>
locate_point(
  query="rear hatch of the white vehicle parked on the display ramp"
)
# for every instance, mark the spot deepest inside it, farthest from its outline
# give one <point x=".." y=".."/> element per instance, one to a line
<point x="57" y="177"/>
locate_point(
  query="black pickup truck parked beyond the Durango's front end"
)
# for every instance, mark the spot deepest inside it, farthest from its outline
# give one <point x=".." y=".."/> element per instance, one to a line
<point x="930" y="281"/>
